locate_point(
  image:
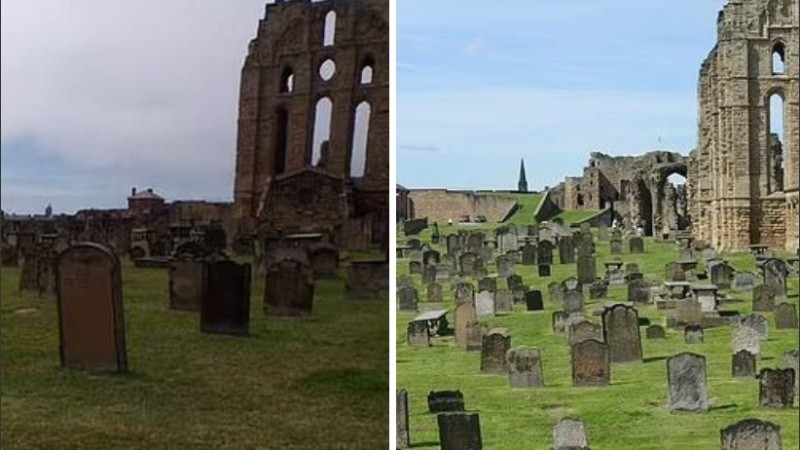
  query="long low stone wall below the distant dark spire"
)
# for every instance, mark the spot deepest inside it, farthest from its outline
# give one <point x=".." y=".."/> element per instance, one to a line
<point x="439" y="205"/>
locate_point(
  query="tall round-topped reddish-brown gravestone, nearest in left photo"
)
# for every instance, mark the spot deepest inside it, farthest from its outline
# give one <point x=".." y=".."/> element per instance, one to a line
<point x="90" y="312"/>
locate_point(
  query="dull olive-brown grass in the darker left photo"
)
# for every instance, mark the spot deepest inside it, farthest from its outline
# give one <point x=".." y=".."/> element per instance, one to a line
<point x="317" y="382"/>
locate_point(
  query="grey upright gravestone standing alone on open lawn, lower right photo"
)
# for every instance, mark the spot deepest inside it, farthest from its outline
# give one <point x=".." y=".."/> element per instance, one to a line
<point x="686" y="376"/>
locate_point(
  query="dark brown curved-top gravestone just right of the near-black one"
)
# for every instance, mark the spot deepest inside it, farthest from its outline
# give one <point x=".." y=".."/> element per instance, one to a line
<point x="289" y="288"/>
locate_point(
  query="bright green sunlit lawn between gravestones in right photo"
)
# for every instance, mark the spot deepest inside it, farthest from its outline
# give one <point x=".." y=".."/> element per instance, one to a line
<point x="631" y="413"/>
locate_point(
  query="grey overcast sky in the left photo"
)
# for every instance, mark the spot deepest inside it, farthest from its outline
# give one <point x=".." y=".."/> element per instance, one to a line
<point x="101" y="96"/>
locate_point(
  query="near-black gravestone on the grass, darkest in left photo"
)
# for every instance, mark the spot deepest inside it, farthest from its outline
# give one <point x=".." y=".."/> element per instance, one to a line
<point x="226" y="303"/>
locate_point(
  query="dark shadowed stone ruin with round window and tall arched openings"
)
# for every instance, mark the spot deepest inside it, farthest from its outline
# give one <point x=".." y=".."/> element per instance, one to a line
<point x="313" y="131"/>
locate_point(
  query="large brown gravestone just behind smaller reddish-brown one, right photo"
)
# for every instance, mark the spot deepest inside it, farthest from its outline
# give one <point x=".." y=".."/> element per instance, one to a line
<point x="621" y="333"/>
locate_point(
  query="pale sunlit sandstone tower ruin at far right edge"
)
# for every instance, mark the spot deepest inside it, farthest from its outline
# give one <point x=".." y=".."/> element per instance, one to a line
<point x="743" y="186"/>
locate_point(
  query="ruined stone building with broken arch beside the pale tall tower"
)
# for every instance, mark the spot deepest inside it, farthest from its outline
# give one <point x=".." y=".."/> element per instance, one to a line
<point x="636" y="187"/>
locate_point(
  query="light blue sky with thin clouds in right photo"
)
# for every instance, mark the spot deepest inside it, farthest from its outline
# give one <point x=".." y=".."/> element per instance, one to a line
<point x="483" y="84"/>
